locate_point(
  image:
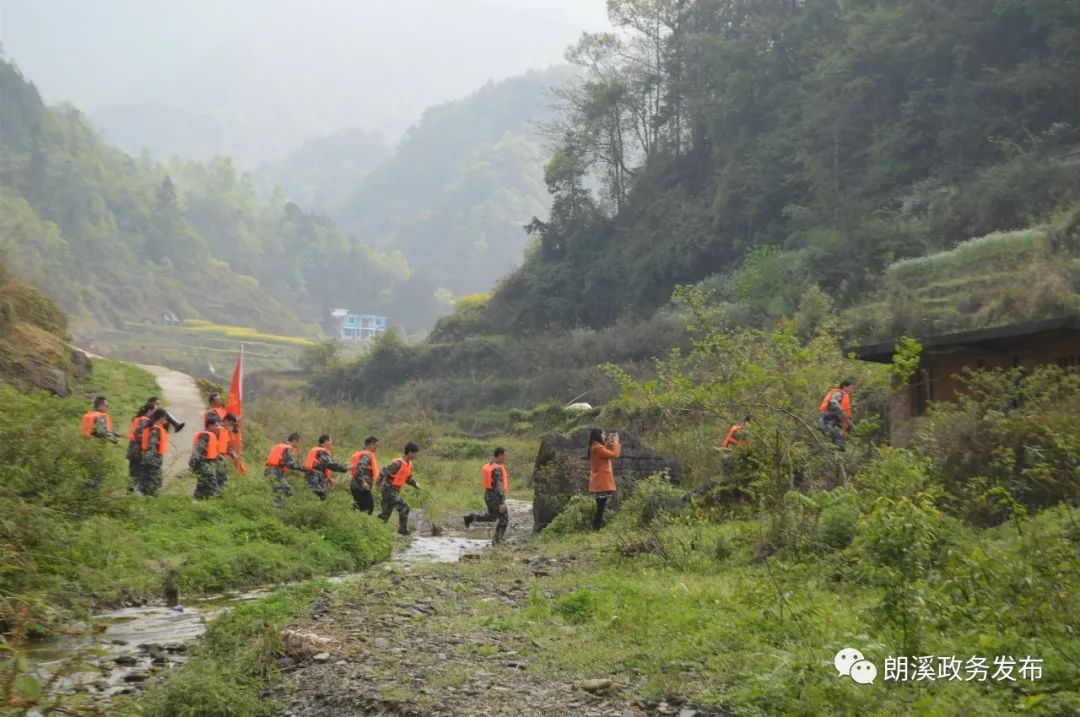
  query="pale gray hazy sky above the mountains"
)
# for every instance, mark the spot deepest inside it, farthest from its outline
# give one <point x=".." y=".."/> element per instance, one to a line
<point x="261" y="77"/>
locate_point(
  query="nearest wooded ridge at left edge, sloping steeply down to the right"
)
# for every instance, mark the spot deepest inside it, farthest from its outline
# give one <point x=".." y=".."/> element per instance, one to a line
<point x="105" y="236"/>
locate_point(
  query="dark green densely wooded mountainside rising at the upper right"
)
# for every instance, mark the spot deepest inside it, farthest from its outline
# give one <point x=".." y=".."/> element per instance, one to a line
<point x="777" y="145"/>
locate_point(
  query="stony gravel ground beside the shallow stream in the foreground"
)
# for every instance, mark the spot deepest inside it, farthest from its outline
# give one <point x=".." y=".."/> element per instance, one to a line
<point x="423" y="639"/>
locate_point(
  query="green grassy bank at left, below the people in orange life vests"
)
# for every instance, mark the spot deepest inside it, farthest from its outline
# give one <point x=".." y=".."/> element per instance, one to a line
<point x="71" y="551"/>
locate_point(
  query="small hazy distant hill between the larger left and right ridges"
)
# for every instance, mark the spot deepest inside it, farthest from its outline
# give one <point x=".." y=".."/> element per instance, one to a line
<point x="321" y="174"/>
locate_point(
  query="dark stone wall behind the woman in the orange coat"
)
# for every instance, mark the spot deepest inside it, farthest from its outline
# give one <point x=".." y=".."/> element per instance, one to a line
<point x="562" y="471"/>
